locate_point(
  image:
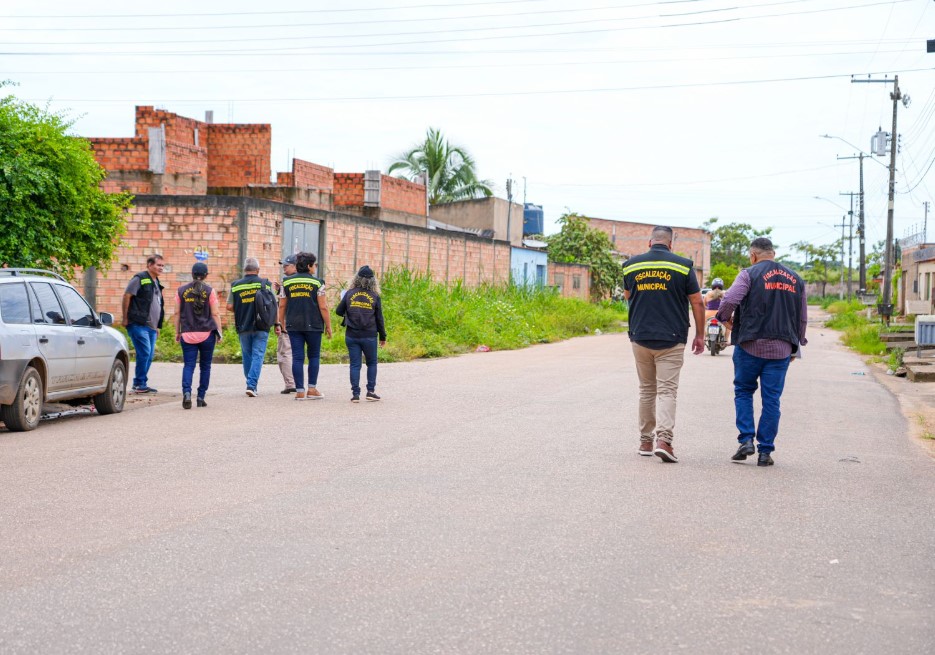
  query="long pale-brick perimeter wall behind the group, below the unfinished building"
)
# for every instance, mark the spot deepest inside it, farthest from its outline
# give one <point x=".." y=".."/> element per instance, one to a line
<point x="228" y="229"/>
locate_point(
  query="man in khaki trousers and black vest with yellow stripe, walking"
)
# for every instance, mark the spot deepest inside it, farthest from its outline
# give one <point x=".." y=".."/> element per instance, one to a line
<point x="659" y="286"/>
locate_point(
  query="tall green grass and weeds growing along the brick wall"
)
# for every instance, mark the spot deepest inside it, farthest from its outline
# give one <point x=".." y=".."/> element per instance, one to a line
<point x="430" y="319"/>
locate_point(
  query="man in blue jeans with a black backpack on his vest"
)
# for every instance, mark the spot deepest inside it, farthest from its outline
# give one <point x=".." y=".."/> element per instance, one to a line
<point x="252" y="341"/>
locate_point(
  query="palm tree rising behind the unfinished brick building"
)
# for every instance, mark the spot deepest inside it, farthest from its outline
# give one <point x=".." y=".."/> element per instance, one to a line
<point x="450" y="170"/>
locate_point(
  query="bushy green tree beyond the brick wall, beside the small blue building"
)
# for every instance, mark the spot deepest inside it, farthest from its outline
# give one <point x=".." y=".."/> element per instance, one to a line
<point x="579" y="243"/>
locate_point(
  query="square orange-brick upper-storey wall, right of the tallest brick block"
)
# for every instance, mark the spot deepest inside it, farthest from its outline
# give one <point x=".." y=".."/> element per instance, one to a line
<point x="238" y="155"/>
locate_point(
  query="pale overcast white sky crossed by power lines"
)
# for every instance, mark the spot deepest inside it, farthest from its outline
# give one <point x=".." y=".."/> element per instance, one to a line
<point x="668" y="112"/>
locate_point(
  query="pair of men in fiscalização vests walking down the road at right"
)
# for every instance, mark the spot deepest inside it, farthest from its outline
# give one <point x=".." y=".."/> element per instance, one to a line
<point x="765" y="312"/>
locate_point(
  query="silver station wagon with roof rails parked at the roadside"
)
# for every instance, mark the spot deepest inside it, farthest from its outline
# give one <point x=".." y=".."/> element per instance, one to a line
<point x="55" y="348"/>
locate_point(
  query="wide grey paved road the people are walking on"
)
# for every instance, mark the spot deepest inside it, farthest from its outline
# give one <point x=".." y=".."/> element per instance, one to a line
<point x="491" y="503"/>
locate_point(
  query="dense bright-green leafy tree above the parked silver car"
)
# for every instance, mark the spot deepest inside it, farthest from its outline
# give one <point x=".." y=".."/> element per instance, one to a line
<point x="52" y="212"/>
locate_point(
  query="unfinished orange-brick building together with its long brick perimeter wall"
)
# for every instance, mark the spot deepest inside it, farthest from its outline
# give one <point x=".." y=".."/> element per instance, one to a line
<point x="204" y="189"/>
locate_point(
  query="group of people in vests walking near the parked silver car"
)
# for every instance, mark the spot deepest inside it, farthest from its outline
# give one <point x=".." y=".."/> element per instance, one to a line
<point x="302" y="319"/>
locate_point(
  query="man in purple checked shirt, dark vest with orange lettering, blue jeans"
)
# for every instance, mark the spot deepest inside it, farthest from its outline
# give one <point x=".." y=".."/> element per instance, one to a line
<point x="767" y="312"/>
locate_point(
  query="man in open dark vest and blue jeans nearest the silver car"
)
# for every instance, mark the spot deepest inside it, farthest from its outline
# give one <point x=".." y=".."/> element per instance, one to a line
<point x="143" y="313"/>
